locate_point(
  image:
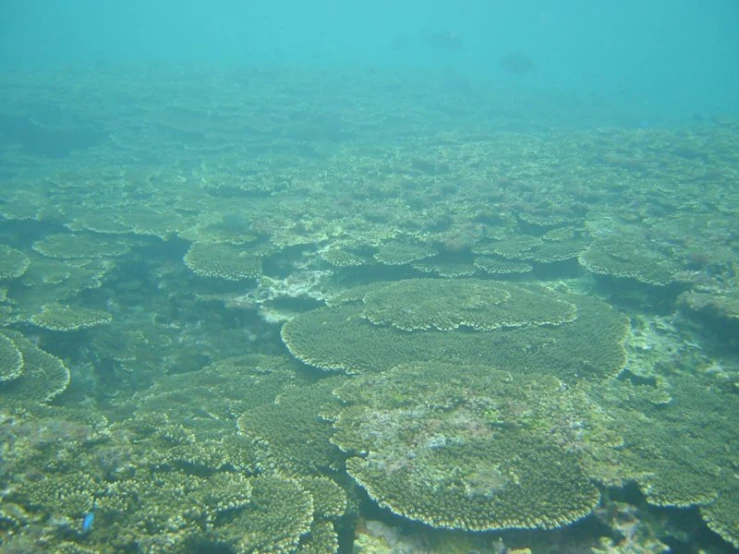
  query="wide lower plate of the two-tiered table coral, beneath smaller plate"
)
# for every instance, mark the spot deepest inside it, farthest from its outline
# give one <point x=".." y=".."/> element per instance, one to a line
<point x="341" y="338"/>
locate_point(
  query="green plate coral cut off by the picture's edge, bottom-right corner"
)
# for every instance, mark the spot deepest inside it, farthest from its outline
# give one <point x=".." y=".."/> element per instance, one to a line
<point x="681" y="453"/>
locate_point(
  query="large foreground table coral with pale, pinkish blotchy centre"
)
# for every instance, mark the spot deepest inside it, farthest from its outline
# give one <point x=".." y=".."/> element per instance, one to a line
<point x="465" y="447"/>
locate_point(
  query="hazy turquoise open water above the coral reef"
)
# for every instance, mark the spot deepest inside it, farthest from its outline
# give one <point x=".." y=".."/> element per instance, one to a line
<point x="663" y="59"/>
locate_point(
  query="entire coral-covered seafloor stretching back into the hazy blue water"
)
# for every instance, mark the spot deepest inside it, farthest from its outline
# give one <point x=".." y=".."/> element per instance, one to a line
<point x="273" y="310"/>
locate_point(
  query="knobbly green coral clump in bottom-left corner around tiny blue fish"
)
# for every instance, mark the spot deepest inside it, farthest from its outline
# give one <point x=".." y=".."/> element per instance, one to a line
<point x="157" y="487"/>
